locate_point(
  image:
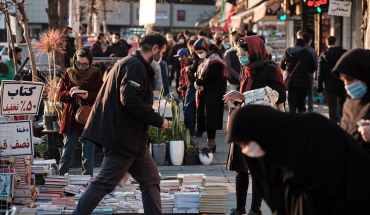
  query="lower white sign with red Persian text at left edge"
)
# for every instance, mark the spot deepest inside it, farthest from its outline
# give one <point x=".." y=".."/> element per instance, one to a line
<point x="16" y="138"/>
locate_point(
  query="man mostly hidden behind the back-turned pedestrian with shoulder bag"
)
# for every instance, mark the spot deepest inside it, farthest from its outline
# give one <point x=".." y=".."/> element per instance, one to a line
<point x="307" y="38"/>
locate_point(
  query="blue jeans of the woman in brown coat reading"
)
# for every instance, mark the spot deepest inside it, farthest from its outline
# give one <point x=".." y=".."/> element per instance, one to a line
<point x="70" y="142"/>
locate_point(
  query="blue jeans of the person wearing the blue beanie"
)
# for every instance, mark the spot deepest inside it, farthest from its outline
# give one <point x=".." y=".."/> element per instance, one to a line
<point x="189" y="110"/>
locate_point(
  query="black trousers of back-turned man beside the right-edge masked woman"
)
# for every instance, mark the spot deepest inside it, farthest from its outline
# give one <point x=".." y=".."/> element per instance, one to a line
<point x="336" y="100"/>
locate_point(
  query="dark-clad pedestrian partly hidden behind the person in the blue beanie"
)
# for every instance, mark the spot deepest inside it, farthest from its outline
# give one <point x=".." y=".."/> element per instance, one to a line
<point x="174" y="64"/>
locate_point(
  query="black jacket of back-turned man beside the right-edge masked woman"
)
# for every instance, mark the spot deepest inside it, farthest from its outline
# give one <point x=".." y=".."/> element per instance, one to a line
<point x="327" y="61"/>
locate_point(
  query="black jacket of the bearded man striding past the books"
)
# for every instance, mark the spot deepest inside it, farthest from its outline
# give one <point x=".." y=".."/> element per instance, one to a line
<point x="122" y="113"/>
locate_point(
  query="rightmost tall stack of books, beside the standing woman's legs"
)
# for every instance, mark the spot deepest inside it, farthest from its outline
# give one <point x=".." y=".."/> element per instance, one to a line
<point x="213" y="199"/>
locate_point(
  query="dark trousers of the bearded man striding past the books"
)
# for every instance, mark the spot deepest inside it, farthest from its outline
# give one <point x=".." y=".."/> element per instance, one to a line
<point x="113" y="169"/>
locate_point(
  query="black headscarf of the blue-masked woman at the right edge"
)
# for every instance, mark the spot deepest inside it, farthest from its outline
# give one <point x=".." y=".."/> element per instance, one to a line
<point x="355" y="63"/>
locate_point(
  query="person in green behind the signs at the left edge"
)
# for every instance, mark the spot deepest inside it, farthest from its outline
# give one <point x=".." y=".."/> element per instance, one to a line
<point x="7" y="67"/>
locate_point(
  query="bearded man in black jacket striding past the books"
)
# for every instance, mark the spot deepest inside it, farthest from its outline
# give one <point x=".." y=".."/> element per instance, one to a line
<point x="119" y="122"/>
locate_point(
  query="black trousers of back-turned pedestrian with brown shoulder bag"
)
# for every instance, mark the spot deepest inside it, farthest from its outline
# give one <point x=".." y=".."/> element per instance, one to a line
<point x="296" y="99"/>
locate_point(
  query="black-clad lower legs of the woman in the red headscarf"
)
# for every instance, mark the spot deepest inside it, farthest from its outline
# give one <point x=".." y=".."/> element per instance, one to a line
<point x="241" y="185"/>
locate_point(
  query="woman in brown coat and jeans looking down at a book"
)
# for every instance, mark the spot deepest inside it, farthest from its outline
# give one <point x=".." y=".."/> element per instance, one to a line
<point x="82" y="76"/>
